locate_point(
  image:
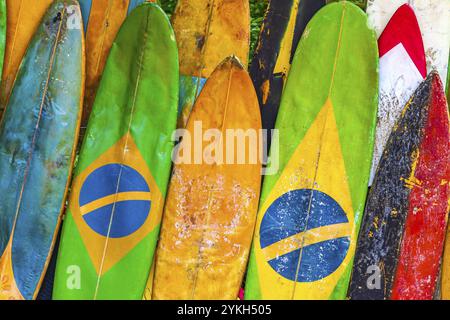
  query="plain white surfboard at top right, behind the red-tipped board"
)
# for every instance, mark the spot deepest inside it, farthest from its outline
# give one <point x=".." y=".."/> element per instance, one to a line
<point x="433" y="21"/>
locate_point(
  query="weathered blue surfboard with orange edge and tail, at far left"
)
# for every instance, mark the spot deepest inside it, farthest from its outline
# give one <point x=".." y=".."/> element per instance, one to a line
<point x="38" y="135"/>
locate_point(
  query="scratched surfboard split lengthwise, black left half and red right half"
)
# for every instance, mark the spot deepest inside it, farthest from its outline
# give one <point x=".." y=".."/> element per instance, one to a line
<point x="401" y="242"/>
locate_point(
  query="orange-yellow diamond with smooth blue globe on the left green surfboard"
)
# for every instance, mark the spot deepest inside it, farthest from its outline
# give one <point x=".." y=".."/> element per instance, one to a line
<point x="115" y="204"/>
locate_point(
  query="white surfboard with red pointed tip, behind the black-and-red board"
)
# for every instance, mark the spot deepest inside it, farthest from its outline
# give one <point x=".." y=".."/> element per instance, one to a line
<point x="402" y="69"/>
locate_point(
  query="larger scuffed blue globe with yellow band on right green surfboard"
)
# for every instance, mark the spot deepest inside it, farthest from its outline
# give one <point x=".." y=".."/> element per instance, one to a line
<point x="288" y="217"/>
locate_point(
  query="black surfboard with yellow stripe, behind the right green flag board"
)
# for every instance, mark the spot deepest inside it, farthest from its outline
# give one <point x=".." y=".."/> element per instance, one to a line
<point x="282" y="28"/>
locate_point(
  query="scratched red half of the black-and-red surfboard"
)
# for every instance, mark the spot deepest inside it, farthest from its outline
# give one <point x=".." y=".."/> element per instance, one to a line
<point x="423" y="241"/>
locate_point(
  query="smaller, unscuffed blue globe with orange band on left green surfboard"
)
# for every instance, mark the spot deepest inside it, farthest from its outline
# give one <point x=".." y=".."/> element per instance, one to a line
<point x="111" y="215"/>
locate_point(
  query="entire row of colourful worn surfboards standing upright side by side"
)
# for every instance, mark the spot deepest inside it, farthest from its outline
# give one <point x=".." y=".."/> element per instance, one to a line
<point x="357" y="98"/>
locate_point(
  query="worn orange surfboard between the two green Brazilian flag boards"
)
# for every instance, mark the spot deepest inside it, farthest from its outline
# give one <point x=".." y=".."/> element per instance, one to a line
<point x="212" y="204"/>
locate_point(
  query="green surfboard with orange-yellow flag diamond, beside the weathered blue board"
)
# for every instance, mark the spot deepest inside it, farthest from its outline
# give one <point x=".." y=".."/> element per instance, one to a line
<point x="113" y="218"/>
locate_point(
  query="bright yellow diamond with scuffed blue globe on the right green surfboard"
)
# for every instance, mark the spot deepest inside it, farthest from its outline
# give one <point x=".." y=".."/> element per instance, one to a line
<point x="304" y="232"/>
